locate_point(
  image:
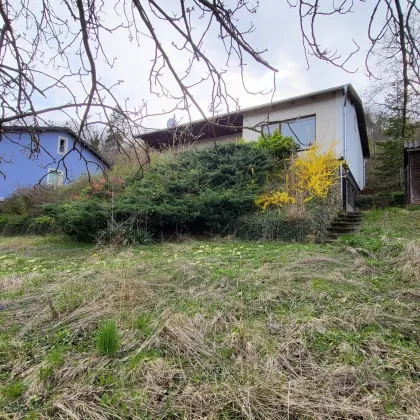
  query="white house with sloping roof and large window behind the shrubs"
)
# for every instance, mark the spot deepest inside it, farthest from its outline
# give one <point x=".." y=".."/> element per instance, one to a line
<point x="331" y="116"/>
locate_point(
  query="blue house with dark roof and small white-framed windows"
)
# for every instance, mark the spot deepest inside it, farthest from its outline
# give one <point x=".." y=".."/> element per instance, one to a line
<point x="22" y="169"/>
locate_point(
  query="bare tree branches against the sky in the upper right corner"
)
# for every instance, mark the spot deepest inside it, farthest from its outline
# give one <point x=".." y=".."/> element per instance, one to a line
<point x="393" y="32"/>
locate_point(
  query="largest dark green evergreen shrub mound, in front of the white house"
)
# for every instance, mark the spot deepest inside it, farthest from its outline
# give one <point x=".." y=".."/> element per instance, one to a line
<point x="198" y="192"/>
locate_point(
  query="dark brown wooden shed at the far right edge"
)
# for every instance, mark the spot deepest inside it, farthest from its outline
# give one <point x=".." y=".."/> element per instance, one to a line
<point x="412" y="172"/>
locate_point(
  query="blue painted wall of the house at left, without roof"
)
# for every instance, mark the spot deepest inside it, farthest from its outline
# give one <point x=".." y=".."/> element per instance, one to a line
<point x="22" y="171"/>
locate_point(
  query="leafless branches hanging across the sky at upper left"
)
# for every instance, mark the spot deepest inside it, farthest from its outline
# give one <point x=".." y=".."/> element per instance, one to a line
<point x="53" y="49"/>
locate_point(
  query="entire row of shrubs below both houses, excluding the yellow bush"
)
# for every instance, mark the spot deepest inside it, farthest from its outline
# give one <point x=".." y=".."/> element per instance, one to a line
<point x="206" y="192"/>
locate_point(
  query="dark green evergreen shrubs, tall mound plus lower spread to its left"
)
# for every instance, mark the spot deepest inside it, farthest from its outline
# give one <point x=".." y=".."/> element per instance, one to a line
<point x="196" y="192"/>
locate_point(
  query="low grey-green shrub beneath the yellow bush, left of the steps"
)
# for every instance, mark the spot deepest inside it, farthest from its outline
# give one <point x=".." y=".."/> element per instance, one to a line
<point x="271" y="225"/>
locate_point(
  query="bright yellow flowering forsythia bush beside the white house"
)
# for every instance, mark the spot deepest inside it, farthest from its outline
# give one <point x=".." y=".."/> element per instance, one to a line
<point x="311" y="175"/>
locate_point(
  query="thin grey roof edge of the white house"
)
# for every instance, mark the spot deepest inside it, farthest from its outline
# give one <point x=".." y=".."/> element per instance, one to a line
<point x="351" y="91"/>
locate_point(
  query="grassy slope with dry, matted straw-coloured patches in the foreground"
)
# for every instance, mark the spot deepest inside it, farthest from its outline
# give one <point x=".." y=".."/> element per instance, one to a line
<point x="214" y="329"/>
